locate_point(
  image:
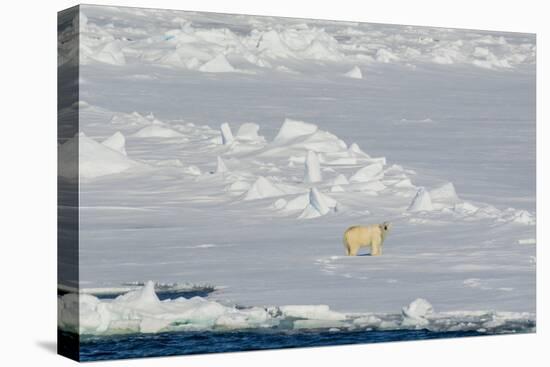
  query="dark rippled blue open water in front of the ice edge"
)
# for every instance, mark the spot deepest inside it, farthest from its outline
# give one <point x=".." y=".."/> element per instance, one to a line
<point x="184" y="343"/>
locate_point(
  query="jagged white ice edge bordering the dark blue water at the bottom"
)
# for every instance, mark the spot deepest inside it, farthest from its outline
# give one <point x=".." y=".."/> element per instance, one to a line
<point x="141" y="311"/>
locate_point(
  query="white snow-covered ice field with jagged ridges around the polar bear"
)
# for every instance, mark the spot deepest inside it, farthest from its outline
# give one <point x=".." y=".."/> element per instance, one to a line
<point x="451" y="111"/>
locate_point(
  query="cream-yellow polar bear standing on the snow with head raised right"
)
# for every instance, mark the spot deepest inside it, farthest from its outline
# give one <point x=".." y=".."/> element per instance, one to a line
<point x="372" y="236"/>
